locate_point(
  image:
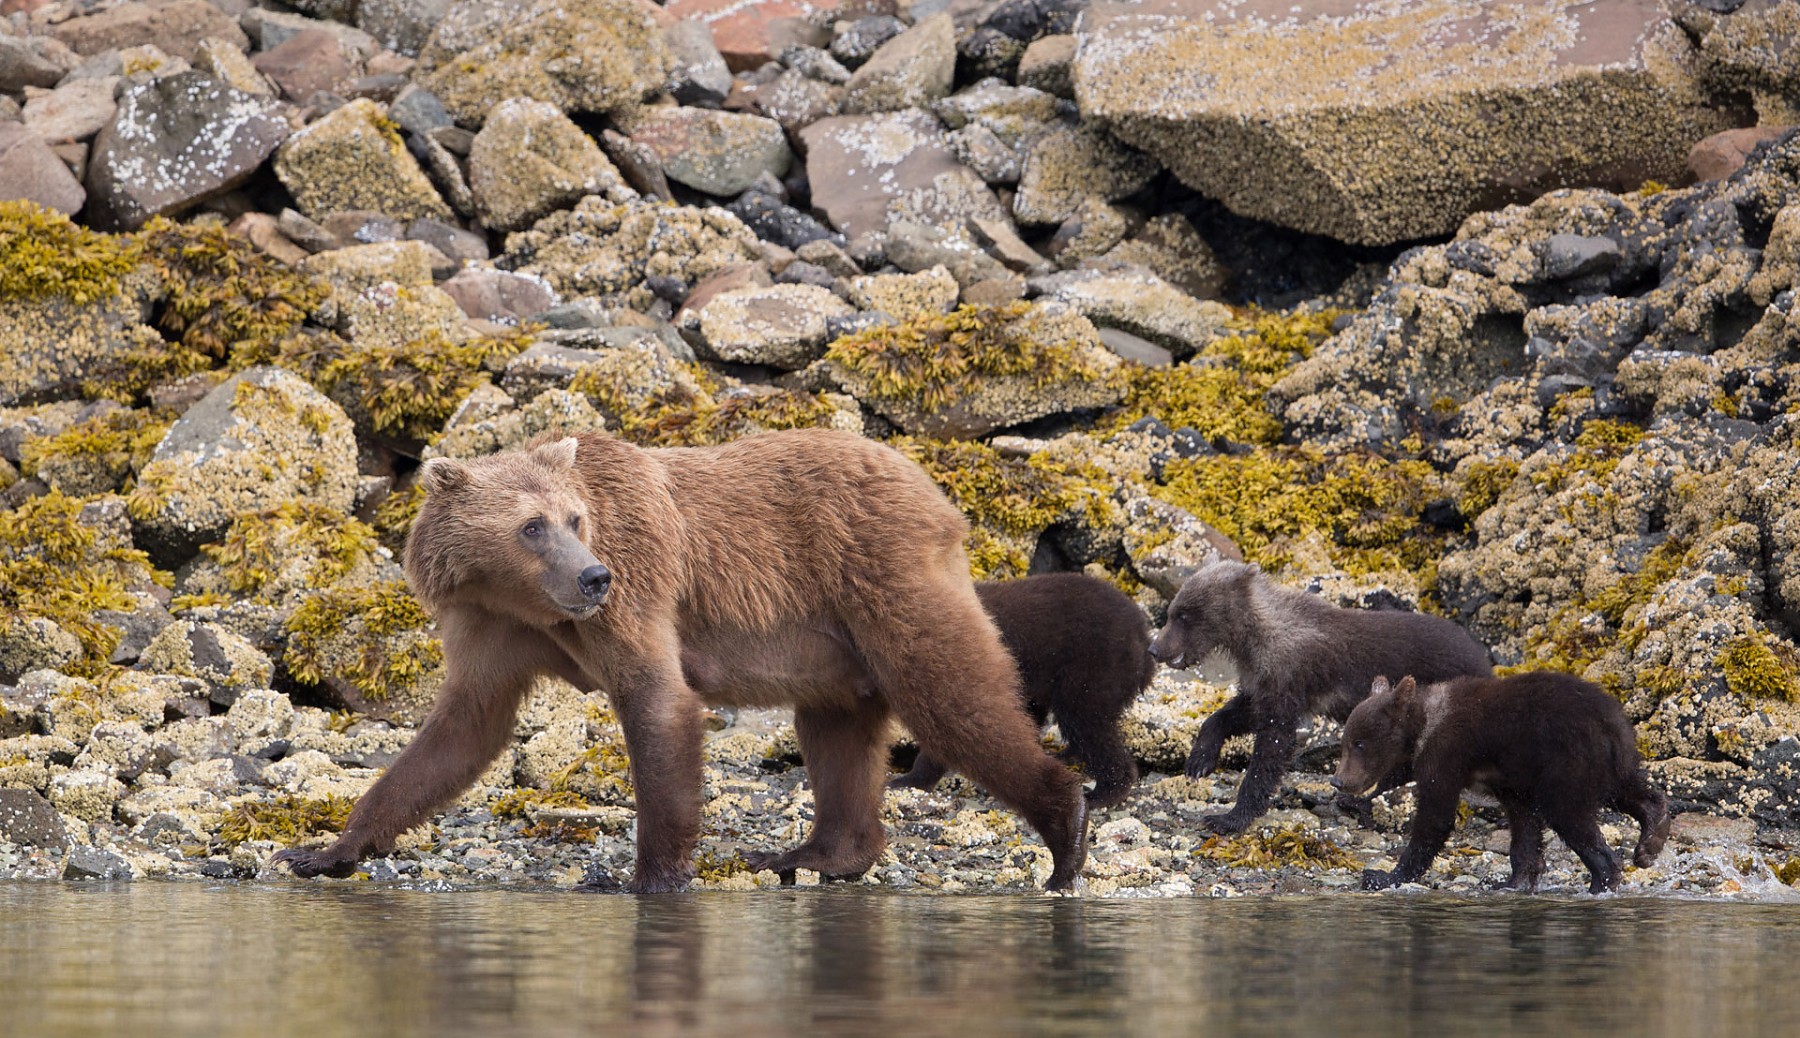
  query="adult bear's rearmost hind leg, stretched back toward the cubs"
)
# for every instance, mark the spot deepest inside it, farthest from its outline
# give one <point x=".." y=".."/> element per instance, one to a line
<point x="940" y="665"/>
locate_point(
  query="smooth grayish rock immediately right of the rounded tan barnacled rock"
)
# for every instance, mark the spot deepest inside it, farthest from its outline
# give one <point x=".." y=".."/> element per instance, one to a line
<point x="715" y="152"/>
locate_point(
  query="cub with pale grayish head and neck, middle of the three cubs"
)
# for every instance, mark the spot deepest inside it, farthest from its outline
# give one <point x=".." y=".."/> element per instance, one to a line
<point x="1295" y="656"/>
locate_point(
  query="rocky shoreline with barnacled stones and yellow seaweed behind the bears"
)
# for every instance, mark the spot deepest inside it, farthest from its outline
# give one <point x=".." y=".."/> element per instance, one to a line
<point x="260" y="262"/>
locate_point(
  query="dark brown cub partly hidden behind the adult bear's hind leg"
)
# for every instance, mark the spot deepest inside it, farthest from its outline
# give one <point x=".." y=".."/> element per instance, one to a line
<point x="1083" y="658"/>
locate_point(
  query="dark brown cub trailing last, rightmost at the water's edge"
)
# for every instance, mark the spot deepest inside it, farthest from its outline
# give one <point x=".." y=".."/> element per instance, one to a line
<point x="1552" y="747"/>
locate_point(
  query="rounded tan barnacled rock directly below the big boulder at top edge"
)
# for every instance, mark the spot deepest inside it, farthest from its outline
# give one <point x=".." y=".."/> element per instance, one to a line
<point x="530" y="161"/>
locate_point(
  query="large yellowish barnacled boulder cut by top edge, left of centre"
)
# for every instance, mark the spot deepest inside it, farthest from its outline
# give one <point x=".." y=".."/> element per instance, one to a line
<point x="577" y="55"/>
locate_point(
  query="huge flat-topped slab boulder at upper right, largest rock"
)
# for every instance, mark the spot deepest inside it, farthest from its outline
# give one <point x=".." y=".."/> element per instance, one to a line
<point x="1380" y="123"/>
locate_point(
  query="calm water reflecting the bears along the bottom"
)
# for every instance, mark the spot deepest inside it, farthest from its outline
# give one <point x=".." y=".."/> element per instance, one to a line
<point x="319" y="962"/>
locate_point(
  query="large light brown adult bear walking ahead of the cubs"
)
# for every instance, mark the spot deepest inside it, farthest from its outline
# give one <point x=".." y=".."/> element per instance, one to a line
<point x="807" y="568"/>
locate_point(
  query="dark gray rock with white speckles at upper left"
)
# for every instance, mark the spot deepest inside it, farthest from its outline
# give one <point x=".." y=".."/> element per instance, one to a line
<point x="174" y="145"/>
